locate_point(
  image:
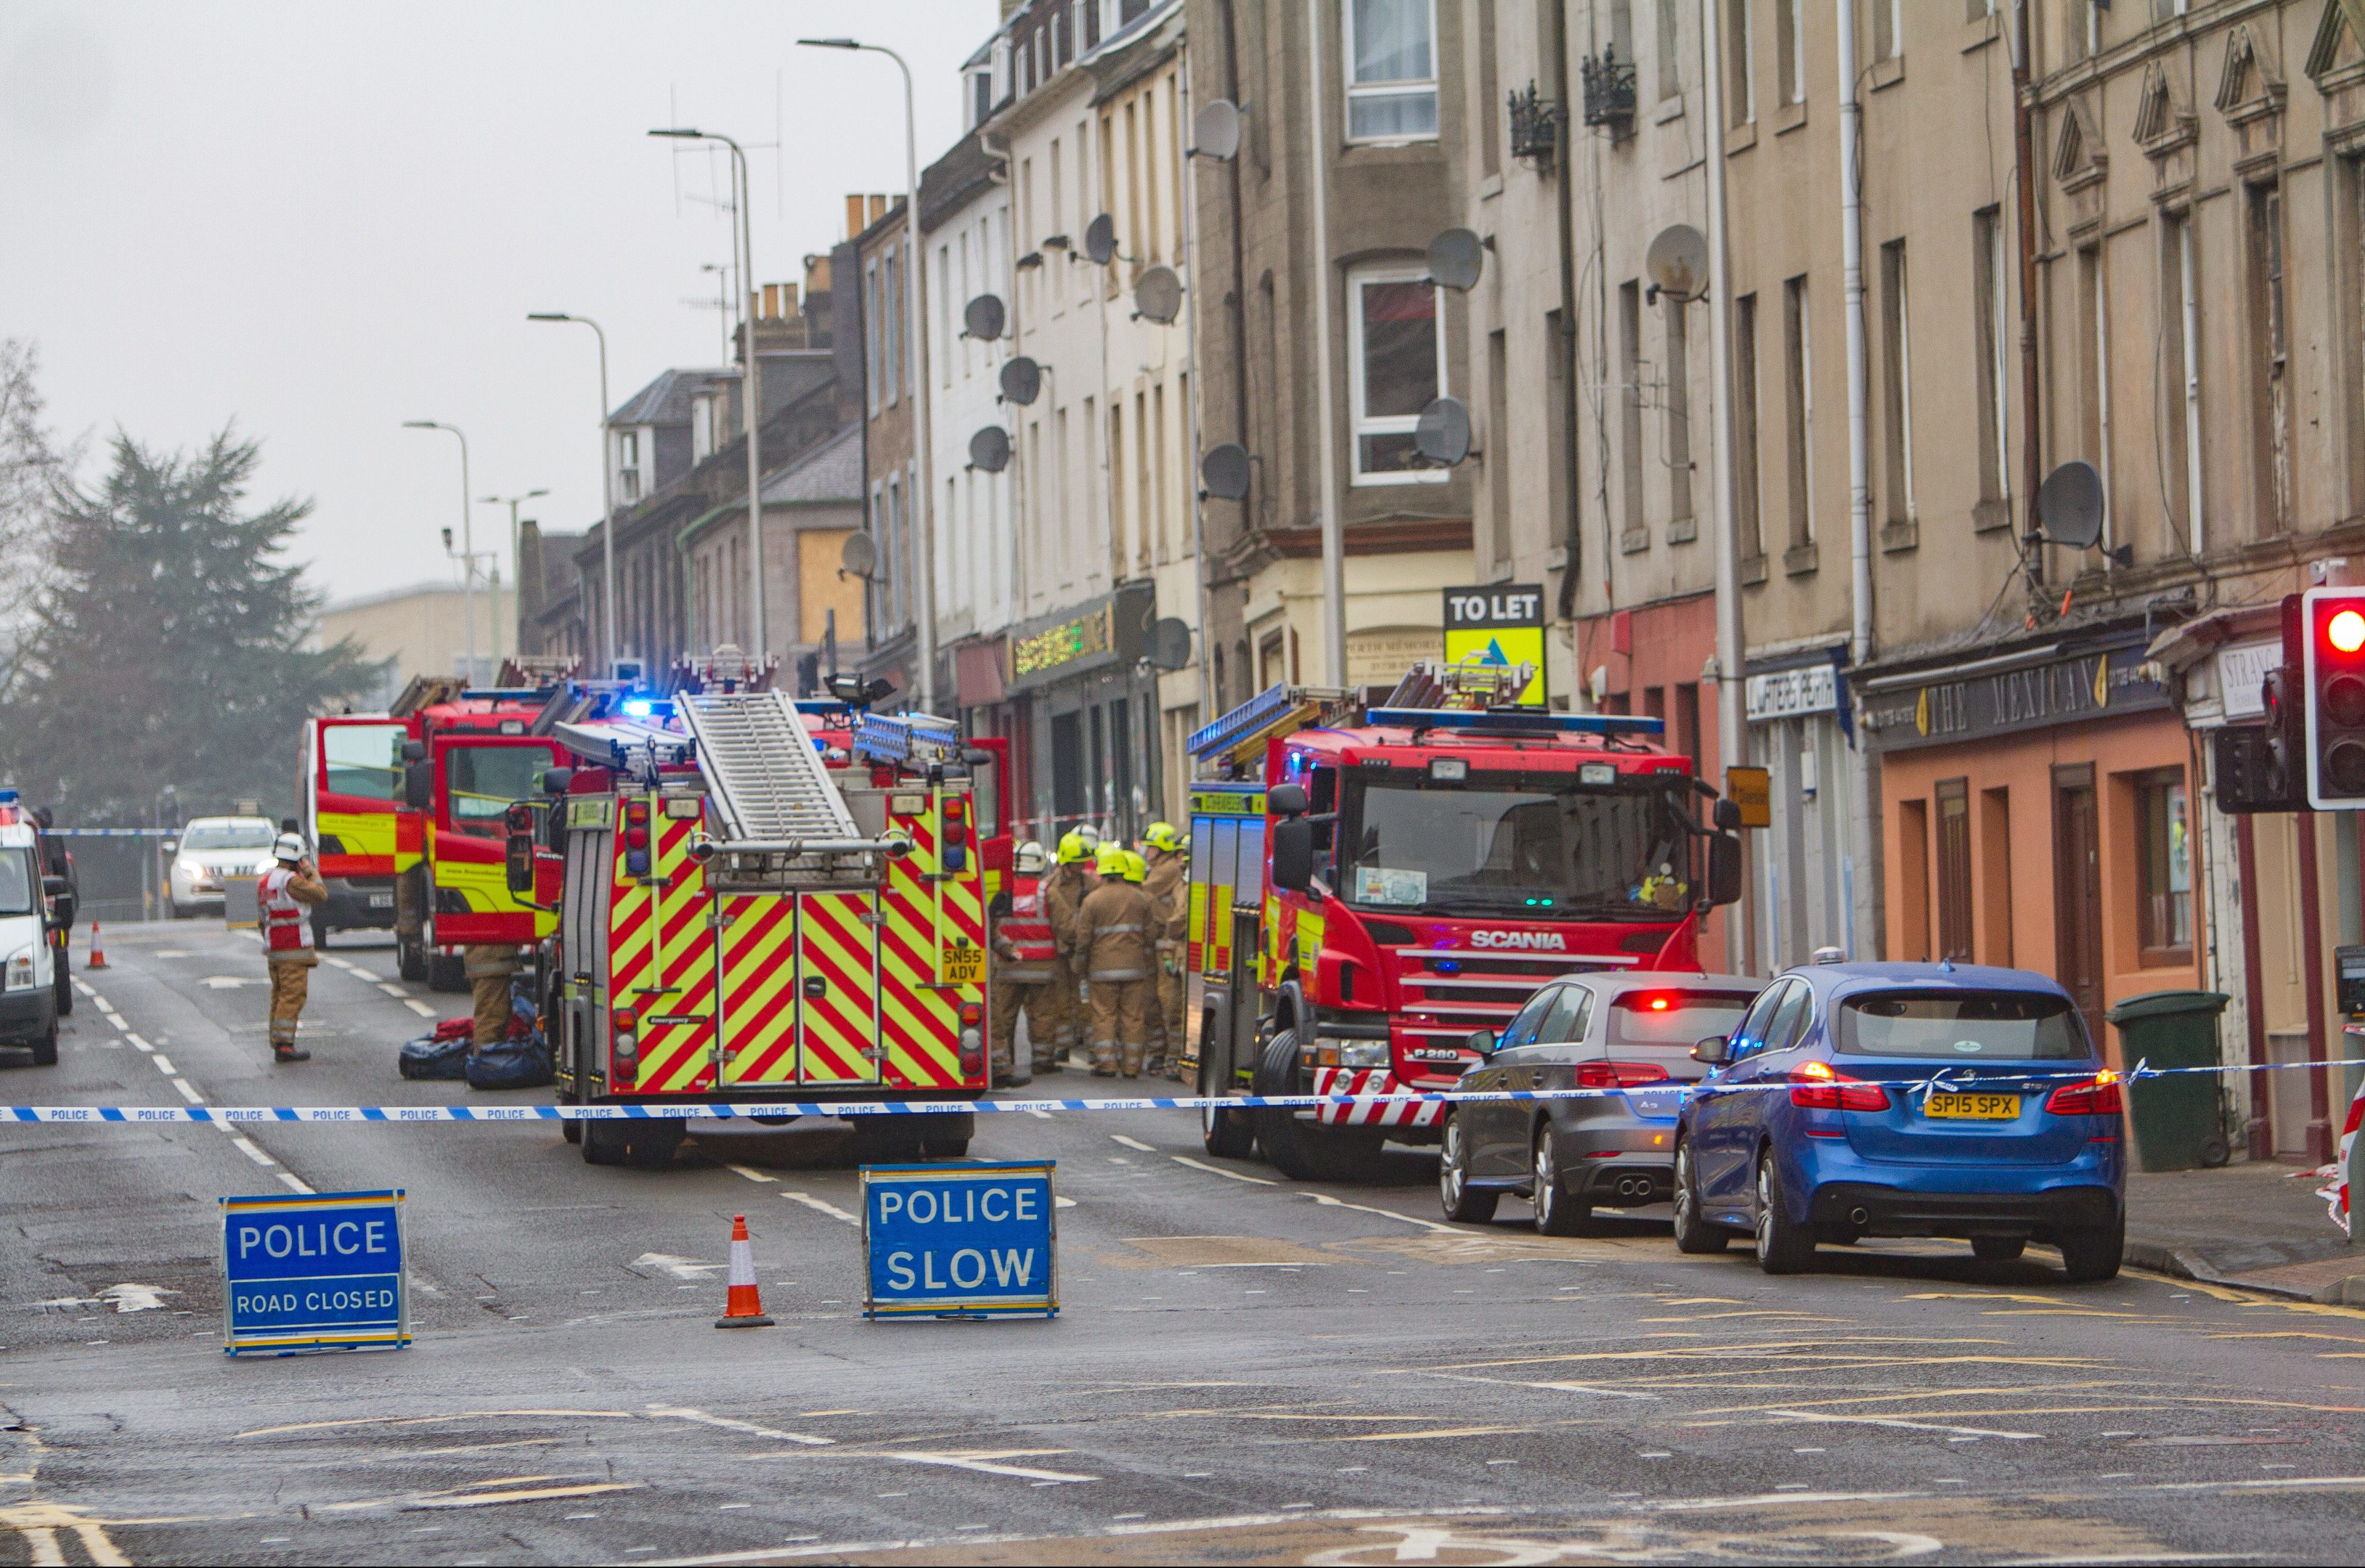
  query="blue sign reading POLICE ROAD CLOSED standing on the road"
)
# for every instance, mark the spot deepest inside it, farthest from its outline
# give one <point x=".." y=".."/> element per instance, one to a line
<point x="313" y="1274"/>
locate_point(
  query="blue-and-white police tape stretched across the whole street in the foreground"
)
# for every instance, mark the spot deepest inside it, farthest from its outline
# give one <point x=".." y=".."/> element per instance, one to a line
<point x="1943" y="1082"/>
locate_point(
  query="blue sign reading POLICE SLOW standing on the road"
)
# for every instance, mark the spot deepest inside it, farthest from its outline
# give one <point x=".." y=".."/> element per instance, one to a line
<point x="961" y="1240"/>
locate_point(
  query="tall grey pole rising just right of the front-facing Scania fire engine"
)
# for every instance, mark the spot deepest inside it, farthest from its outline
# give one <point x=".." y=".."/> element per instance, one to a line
<point x="1732" y="723"/>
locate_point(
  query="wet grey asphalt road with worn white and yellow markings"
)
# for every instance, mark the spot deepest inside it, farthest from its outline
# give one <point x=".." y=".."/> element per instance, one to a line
<point x="1245" y="1368"/>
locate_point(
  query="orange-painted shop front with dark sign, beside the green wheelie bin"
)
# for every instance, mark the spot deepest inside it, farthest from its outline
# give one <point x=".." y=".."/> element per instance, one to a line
<point x="2037" y="812"/>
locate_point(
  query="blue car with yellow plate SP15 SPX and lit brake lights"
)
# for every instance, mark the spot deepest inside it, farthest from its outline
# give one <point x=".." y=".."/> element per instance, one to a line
<point x="1905" y="1101"/>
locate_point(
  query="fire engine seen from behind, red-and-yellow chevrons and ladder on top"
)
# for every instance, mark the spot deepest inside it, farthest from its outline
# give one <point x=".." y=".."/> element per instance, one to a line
<point x="760" y="900"/>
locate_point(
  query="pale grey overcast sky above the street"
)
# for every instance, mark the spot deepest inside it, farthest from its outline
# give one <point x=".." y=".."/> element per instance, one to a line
<point x="323" y="219"/>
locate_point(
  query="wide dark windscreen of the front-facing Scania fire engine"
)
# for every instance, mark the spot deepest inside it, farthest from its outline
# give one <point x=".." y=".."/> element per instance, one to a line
<point x="1534" y="845"/>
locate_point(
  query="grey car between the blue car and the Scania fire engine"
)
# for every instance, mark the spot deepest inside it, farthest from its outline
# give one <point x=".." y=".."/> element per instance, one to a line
<point x="1621" y="1035"/>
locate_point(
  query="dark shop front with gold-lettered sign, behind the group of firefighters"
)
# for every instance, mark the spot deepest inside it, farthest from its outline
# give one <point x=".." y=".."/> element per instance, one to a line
<point x="1084" y="696"/>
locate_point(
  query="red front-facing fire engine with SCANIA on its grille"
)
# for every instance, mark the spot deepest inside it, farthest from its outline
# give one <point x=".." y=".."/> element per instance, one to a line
<point x="1371" y="886"/>
